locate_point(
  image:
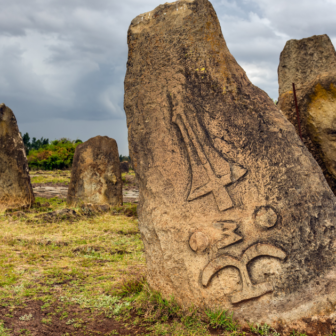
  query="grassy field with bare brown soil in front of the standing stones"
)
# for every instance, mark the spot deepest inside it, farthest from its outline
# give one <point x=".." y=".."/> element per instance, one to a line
<point x="83" y="273"/>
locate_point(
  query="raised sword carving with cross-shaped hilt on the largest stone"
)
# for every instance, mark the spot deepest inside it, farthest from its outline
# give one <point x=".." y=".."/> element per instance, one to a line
<point x="216" y="183"/>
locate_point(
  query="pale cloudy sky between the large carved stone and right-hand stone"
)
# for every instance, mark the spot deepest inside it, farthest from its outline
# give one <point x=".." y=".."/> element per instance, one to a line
<point x="257" y="37"/>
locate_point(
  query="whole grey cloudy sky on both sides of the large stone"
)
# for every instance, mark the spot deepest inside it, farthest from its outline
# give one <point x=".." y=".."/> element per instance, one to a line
<point x="63" y="62"/>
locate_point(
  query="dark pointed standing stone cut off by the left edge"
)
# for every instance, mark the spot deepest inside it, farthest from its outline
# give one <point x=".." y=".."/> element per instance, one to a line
<point x="15" y="187"/>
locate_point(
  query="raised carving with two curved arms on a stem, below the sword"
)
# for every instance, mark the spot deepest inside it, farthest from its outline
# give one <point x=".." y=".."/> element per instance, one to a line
<point x="249" y="291"/>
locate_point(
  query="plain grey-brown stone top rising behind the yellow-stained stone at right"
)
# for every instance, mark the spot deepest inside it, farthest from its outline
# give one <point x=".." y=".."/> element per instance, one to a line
<point x="302" y="60"/>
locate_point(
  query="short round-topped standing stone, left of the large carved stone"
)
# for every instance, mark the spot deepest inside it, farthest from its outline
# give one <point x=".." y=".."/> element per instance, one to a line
<point x="95" y="175"/>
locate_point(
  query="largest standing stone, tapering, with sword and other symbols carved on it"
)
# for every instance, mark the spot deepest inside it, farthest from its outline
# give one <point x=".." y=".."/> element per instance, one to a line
<point x="234" y="212"/>
